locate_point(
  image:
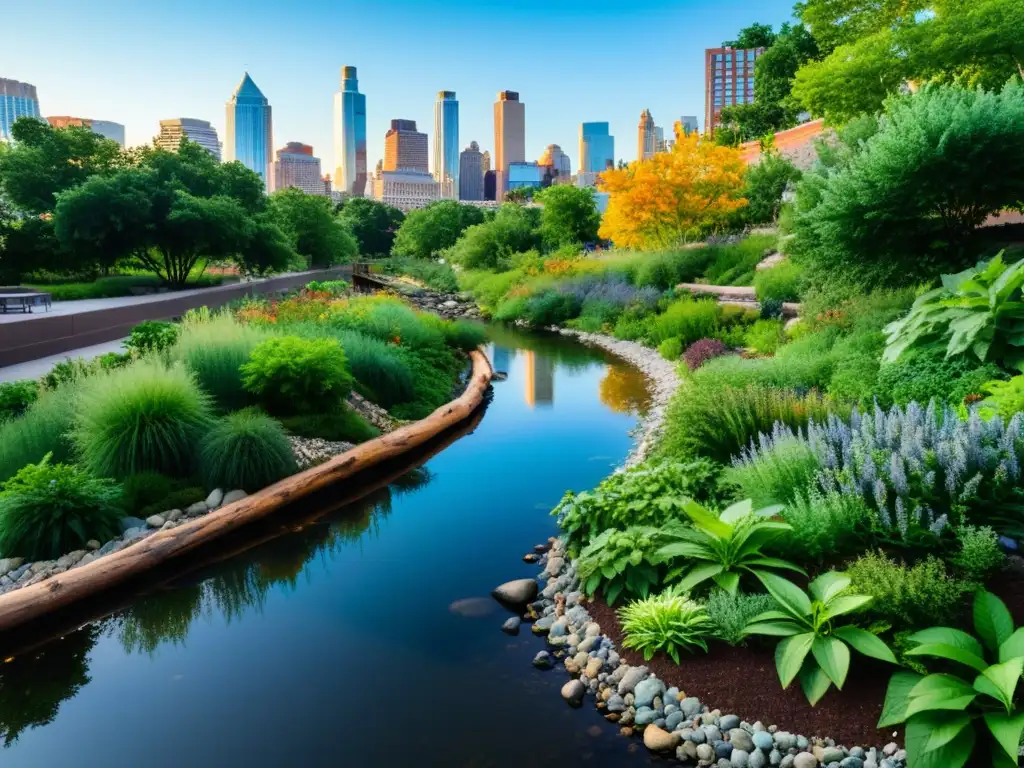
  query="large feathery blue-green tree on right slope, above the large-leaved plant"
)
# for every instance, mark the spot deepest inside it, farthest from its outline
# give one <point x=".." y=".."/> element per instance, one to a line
<point x="906" y="204"/>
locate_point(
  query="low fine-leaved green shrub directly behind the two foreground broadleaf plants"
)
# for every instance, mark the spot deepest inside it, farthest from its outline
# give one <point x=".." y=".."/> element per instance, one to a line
<point x="909" y="596"/>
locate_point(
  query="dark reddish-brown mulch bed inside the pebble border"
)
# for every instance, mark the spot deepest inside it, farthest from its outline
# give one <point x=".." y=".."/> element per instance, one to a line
<point x="744" y="681"/>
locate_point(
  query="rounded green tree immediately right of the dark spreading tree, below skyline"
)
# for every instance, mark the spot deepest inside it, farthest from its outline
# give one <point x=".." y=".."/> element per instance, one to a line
<point x="315" y="232"/>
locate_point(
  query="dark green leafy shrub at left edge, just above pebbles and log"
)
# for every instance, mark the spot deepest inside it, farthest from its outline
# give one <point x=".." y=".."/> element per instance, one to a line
<point x="48" y="510"/>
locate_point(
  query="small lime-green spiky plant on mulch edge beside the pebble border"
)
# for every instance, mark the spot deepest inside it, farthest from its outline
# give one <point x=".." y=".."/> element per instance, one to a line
<point x="667" y="623"/>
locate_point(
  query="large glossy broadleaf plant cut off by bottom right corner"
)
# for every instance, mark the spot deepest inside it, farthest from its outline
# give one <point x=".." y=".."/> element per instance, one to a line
<point x="967" y="711"/>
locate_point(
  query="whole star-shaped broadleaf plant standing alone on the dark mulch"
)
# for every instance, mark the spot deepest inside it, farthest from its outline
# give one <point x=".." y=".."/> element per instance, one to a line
<point x="816" y="649"/>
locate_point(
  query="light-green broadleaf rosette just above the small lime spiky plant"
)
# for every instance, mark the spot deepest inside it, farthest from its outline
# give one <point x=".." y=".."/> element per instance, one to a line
<point x="726" y="547"/>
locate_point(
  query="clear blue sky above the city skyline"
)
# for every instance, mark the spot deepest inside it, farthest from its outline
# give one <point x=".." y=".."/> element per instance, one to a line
<point x="572" y="61"/>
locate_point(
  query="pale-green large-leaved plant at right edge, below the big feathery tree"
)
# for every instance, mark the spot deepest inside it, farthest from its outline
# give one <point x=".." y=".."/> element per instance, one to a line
<point x="979" y="312"/>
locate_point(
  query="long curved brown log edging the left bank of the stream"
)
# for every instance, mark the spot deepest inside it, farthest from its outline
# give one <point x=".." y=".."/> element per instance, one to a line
<point x="30" y="604"/>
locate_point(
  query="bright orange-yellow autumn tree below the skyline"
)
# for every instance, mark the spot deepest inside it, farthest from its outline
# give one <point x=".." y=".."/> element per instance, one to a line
<point x="672" y="197"/>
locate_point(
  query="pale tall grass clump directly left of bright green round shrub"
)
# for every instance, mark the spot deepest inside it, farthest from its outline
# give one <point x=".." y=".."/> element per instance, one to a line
<point x="215" y="351"/>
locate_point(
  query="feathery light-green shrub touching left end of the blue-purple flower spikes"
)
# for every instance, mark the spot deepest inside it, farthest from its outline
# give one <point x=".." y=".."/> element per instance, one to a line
<point x="777" y="476"/>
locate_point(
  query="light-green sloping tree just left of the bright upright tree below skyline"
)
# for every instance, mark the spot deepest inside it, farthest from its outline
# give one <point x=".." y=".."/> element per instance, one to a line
<point x="492" y="244"/>
